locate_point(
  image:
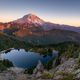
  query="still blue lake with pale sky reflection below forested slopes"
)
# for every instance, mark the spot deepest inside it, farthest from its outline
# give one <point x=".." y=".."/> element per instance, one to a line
<point x="23" y="59"/>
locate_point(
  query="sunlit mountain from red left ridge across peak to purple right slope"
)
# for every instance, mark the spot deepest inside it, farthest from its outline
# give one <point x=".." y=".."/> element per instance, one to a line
<point x="35" y="23"/>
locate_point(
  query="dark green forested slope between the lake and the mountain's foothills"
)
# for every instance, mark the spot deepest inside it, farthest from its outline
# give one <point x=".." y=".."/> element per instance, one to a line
<point x="69" y="47"/>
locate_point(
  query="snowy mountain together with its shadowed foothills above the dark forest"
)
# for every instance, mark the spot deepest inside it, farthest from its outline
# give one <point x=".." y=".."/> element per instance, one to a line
<point x="33" y="29"/>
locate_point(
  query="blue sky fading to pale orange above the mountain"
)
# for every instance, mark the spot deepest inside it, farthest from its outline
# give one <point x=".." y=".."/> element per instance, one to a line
<point x="56" y="11"/>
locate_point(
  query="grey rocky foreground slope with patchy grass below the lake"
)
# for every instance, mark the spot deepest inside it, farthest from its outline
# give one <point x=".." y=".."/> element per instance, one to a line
<point x="69" y="70"/>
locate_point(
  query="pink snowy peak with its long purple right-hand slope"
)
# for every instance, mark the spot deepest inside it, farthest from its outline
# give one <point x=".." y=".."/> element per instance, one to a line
<point x="33" y="20"/>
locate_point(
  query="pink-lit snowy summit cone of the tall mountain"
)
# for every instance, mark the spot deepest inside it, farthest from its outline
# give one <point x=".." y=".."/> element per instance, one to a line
<point x="30" y="18"/>
